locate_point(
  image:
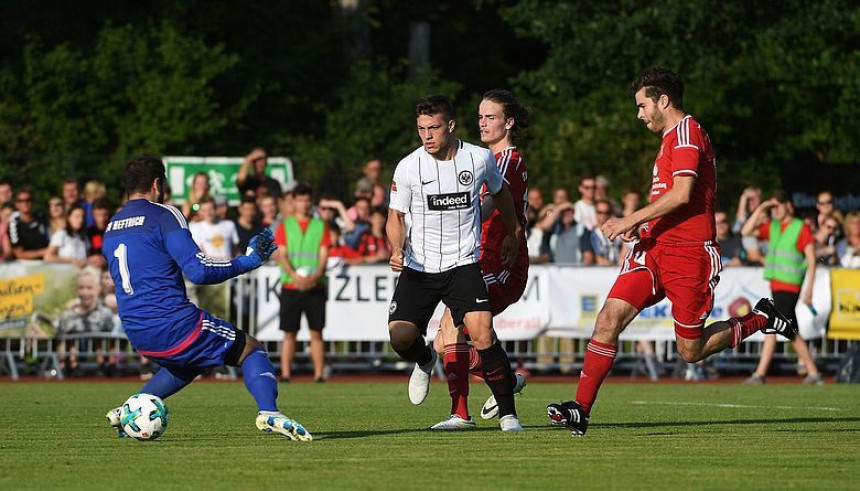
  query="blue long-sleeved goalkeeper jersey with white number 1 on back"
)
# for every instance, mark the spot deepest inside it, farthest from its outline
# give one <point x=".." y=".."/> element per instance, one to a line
<point x="148" y="248"/>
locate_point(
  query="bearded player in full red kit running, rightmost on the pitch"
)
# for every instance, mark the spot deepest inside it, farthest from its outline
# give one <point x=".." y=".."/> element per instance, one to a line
<point x="677" y="256"/>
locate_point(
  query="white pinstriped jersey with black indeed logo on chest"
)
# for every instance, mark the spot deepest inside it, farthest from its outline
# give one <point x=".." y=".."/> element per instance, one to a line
<point x="441" y="200"/>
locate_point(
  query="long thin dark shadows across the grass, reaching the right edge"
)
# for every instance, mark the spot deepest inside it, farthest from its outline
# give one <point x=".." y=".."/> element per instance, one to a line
<point x="334" y="435"/>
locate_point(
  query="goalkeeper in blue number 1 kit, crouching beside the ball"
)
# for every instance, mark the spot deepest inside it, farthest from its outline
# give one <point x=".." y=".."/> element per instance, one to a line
<point x="148" y="248"/>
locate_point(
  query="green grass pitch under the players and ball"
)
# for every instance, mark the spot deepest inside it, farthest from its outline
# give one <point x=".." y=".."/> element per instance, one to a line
<point x="368" y="436"/>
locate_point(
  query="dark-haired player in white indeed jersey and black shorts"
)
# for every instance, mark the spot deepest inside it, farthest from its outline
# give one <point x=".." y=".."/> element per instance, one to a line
<point x="437" y="187"/>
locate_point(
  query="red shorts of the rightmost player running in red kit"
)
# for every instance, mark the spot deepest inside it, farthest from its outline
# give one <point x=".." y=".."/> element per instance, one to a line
<point x="685" y="274"/>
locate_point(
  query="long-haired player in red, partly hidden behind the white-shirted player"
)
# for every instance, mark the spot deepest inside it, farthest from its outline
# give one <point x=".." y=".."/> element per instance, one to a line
<point x="500" y="119"/>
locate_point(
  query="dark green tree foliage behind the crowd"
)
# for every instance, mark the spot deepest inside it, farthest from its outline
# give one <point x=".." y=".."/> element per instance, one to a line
<point x="777" y="84"/>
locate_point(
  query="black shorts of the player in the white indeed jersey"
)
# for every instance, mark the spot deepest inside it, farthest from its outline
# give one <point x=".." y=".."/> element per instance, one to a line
<point x="417" y="294"/>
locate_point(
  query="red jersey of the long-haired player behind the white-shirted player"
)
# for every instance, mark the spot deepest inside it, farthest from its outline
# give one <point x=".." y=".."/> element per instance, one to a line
<point x="493" y="231"/>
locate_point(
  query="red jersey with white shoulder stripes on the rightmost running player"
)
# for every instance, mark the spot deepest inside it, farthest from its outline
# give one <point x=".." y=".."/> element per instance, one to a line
<point x="685" y="151"/>
